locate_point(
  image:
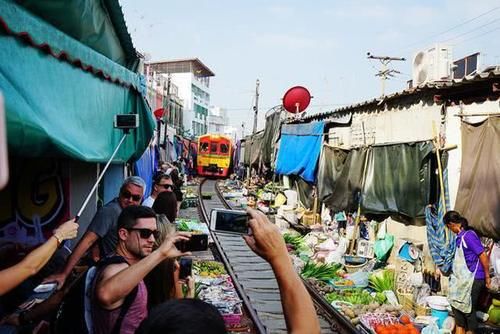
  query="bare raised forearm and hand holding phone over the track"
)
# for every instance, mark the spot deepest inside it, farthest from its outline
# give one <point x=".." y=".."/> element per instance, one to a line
<point x="266" y="241"/>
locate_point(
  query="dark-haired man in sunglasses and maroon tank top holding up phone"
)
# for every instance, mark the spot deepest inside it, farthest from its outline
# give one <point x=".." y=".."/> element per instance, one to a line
<point x="121" y="284"/>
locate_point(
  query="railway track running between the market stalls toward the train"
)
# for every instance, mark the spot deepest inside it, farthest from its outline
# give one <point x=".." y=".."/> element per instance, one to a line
<point x="254" y="279"/>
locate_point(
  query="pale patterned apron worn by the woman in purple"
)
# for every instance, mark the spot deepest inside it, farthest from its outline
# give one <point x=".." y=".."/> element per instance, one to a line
<point x="461" y="280"/>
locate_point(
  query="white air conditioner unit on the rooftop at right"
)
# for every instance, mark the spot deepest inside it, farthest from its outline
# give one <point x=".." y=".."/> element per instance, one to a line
<point x="433" y="64"/>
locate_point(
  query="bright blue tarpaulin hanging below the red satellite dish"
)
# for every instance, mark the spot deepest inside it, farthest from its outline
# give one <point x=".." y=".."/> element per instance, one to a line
<point x="299" y="150"/>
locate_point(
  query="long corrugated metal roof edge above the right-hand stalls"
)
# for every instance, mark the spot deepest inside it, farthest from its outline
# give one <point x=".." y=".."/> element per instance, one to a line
<point x="493" y="73"/>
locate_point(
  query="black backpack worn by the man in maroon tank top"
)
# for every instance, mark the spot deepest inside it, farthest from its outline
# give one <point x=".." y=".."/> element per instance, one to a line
<point x="70" y="318"/>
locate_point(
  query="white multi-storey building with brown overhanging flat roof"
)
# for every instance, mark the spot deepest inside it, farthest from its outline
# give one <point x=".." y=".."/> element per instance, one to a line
<point x="192" y="78"/>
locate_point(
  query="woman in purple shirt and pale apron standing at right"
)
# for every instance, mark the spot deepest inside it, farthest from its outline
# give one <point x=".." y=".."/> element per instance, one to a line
<point x="470" y="272"/>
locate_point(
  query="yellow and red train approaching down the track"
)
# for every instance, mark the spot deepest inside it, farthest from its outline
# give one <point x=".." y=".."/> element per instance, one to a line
<point x="215" y="154"/>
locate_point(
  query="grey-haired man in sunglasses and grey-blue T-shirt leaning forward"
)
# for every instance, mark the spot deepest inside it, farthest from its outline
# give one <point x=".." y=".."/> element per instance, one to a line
<point x="102" y="228"/>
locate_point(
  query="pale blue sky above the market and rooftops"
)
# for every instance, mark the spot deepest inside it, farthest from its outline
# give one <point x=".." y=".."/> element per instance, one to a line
<point x="318" y="44"/>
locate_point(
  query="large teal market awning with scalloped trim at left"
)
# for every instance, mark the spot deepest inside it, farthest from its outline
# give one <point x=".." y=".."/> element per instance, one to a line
<point x="62" y="97"/>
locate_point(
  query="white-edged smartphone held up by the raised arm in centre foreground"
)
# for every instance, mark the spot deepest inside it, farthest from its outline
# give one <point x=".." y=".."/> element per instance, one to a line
<point x="230" y="221"/>
